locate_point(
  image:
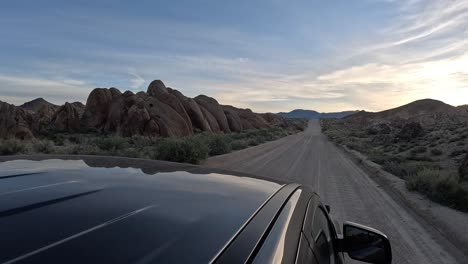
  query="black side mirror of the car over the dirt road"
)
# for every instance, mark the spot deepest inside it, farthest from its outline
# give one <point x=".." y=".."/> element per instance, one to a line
<point x="366" y="244"/>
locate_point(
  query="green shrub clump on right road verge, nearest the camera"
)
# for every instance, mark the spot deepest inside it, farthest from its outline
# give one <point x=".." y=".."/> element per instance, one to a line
<point x="442" y="188"/>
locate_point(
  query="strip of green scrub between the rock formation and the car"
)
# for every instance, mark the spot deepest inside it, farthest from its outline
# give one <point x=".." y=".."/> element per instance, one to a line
<point x="192" y="149"/>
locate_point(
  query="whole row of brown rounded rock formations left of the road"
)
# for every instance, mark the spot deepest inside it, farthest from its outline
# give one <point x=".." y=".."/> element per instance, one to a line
<point x="159" y="112"/>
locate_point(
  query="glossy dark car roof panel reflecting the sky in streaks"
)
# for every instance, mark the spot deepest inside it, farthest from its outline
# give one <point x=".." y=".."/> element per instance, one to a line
<point x="65" y="211"/>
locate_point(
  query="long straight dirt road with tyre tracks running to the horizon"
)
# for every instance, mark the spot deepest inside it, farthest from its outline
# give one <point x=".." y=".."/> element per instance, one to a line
<point x="310" y="158"/>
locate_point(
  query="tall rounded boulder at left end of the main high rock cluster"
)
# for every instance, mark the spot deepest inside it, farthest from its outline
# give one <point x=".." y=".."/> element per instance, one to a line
<point x="98" y="106"/>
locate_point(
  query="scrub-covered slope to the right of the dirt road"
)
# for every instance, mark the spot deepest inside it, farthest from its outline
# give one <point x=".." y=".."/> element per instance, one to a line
<point x="429" y="158"/>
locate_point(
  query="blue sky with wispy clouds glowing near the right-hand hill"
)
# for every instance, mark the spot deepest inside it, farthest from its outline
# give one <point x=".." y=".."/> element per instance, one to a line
<point x="267" y="55"/>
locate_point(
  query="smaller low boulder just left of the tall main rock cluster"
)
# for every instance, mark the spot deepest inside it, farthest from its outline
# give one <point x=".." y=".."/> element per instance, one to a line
<point x="67" y="118"/>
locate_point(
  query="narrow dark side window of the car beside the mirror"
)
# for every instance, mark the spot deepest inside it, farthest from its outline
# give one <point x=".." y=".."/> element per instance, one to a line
<point x="321" y="234"/>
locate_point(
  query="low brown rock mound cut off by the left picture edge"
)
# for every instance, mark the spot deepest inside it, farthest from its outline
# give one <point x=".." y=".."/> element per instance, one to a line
<point x="16" y="122"/>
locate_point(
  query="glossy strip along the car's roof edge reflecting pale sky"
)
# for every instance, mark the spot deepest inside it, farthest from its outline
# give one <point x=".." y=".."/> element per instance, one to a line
<point x="273" y="248"/>
